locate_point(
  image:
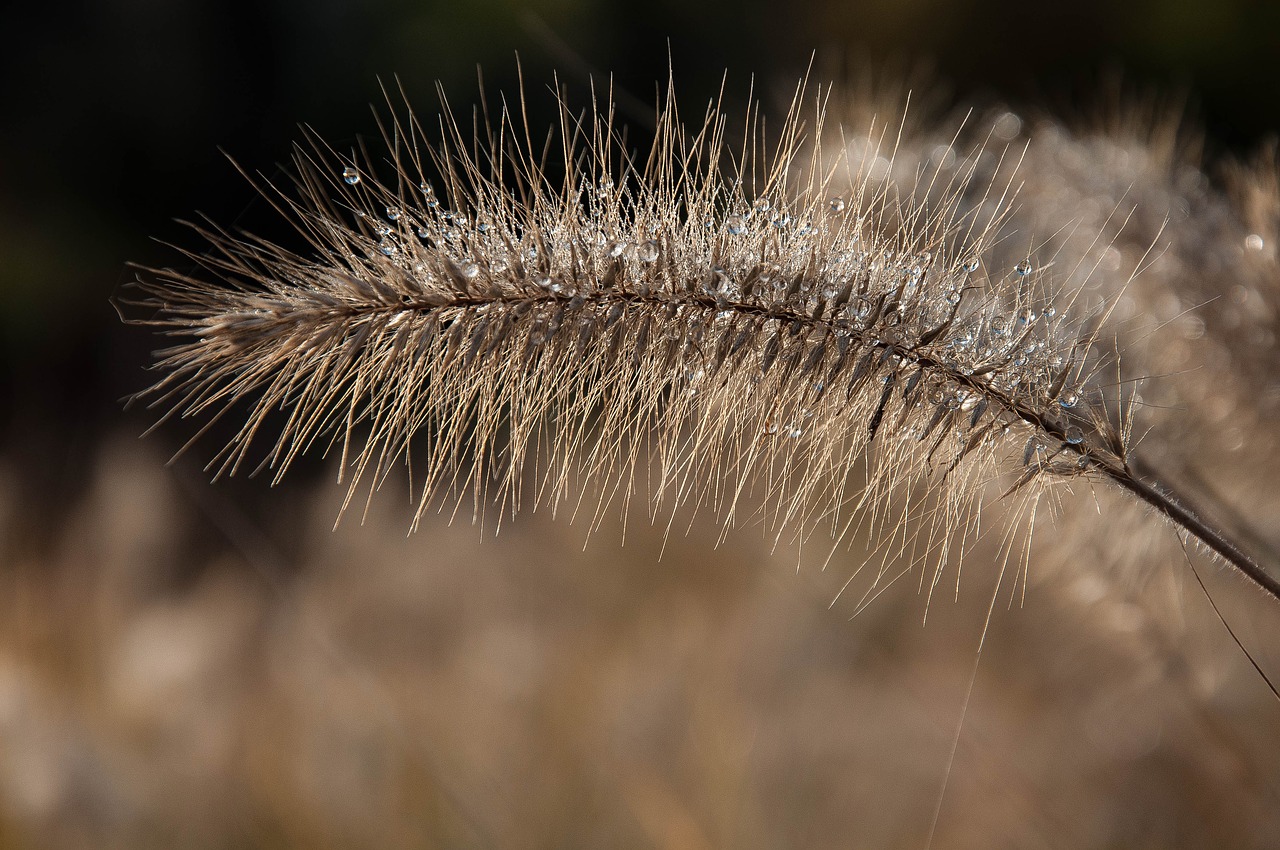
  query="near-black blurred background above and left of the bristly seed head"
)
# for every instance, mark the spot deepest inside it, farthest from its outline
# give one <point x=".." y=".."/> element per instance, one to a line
<point x="115" y="116"/>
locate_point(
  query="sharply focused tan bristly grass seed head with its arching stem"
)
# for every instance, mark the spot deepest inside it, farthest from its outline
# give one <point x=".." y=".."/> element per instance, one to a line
<point x="762" y="332"/>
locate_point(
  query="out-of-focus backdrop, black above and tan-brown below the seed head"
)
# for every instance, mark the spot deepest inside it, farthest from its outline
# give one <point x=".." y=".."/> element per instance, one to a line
<point x="196" y="666"/>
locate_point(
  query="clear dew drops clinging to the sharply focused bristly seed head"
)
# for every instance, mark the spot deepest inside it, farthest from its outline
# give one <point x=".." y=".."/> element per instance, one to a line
<point x="1025" y="341"/>
